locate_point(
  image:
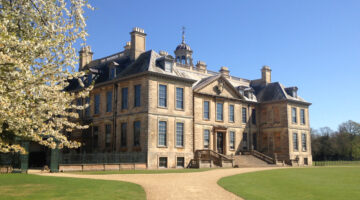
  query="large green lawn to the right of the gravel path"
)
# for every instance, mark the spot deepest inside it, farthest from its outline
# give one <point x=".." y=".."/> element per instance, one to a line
<point x="327" y="183"/>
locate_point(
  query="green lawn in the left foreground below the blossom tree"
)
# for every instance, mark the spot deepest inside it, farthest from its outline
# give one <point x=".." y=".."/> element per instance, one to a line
<point x="25" y="186"/>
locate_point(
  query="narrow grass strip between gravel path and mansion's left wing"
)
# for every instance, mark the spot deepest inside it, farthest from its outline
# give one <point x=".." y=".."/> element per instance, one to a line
<point x="159" y="171"/>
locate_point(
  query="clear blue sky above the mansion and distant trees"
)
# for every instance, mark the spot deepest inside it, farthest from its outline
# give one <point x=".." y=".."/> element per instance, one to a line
<point x="314" y="45"/>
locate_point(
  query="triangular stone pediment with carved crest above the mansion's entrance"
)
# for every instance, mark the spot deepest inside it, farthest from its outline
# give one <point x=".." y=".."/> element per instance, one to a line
<point x="218" y="86"/>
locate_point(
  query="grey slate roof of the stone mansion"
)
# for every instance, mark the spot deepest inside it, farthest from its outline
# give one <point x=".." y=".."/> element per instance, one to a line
<point x="147" y="62"/>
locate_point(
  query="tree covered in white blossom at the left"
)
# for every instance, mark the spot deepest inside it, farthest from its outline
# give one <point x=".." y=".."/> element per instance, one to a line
<point x="37" y="60"/>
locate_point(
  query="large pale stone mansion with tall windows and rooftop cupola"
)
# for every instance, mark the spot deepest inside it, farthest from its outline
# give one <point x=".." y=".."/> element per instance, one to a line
<point x="170" y="108"/>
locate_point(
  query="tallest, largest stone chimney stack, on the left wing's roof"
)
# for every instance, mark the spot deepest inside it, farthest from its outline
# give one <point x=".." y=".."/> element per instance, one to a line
<point x="138" y="37"/>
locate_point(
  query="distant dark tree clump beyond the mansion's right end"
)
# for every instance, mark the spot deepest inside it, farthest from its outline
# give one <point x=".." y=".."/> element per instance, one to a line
<point x="343" y="144"/>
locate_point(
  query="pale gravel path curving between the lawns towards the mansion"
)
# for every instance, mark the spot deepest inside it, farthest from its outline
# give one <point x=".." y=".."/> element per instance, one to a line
<point x="174" y="186"/>
